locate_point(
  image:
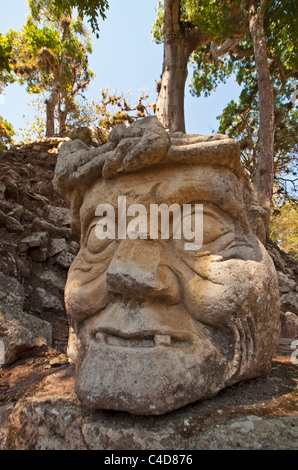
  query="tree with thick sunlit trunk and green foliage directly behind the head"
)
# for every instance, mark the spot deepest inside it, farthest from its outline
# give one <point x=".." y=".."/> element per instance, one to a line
<point x="184" y="26"/>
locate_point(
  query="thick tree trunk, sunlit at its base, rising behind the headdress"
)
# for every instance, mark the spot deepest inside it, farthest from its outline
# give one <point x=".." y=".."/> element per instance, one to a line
<point x="179" y="43"/>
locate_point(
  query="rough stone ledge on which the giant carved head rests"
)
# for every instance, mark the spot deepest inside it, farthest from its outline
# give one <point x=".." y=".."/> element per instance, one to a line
<point x="257" y="415"/>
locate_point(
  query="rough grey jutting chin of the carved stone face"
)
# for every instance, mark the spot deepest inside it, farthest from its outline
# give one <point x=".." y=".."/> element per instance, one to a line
<point x="149" y="378"/>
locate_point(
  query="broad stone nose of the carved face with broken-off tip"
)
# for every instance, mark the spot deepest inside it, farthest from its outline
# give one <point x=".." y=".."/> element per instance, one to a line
<point x="137" y="272"/>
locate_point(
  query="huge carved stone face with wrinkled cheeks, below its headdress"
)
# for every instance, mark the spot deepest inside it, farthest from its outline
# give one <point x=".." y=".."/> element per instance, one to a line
<point x="155" y="326"/>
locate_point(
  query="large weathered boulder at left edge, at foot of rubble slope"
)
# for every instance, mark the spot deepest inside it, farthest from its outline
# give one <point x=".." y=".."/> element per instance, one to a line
<point x="21" y="334"/>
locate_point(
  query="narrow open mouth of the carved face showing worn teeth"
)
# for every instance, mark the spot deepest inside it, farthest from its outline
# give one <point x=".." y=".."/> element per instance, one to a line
<point x="141" y="340"/>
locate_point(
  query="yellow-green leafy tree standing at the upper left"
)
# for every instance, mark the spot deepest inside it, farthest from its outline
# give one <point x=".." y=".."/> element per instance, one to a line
<point x="51" y="57"/>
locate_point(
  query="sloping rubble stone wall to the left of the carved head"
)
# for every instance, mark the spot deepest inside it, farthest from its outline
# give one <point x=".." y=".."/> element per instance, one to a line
<point x="36" y="249"/>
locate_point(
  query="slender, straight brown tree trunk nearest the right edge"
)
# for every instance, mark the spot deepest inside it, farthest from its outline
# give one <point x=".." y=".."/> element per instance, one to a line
<point x="263" y="181"/>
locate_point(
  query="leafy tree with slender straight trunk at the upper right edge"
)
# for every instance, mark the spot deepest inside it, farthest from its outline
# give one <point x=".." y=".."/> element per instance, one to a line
<point x="265" y="119"/>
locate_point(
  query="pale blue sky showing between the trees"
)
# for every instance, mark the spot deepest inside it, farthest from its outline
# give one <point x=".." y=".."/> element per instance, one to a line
<point x="125" y="58"/>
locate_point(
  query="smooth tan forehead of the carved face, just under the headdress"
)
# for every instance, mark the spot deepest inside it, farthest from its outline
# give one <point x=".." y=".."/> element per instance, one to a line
<point x="169" y="185"/>
